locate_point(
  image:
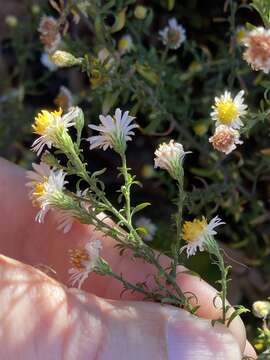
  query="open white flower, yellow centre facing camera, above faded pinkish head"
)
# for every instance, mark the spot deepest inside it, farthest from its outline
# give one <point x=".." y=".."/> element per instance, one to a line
<point x="228" y="111"/>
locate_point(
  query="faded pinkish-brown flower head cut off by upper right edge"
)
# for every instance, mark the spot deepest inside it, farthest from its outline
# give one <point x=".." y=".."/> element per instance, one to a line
<point x="257" y="53"/>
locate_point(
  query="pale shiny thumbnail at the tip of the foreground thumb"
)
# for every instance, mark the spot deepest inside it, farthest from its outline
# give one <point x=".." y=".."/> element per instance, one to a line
<point x="191" y="338"/>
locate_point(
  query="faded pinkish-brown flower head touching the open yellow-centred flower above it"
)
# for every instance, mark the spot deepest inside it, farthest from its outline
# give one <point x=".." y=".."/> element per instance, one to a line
<point x="225" y="139"/>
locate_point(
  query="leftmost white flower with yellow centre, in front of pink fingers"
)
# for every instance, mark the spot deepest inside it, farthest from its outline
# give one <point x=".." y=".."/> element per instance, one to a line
<point x="46" y="188"/>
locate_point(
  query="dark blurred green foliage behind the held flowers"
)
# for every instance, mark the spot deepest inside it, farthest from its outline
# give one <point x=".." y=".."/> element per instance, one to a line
<point x="170" y="92"/>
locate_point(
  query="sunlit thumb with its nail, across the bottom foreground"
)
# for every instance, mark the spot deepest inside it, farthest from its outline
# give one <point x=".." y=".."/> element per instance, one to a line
<point x="40" y="319"/>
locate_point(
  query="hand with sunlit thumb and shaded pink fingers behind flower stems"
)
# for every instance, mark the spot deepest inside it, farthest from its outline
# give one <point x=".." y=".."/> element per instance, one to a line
<point x="41" y="318"/>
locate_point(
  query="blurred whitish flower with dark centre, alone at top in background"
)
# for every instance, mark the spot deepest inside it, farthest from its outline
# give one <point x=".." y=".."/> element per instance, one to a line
<point x="173" y="35"/>
